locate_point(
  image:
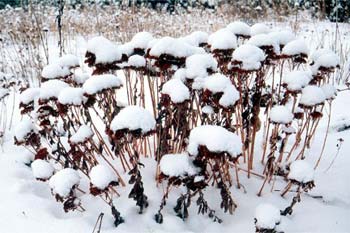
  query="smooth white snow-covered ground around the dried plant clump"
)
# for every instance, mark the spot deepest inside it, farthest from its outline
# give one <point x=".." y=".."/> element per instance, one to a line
<point x="27" y="205"/>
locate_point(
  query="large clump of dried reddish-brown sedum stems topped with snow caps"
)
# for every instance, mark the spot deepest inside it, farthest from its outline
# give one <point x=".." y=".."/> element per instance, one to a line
<point x="206" y="107"/>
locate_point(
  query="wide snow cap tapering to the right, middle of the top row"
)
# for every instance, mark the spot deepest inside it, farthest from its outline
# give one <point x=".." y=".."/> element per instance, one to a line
<point x="174" y="47"/>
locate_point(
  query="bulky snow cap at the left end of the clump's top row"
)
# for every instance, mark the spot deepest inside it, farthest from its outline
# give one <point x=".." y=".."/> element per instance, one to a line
<point x="106" y="52"/>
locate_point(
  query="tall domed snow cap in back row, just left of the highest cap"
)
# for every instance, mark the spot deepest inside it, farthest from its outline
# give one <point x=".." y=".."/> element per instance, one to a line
<point x="222" y="39"/>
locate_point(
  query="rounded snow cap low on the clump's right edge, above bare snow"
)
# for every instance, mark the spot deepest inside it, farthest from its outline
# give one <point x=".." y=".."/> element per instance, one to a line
<point x="301" y="171"/>
